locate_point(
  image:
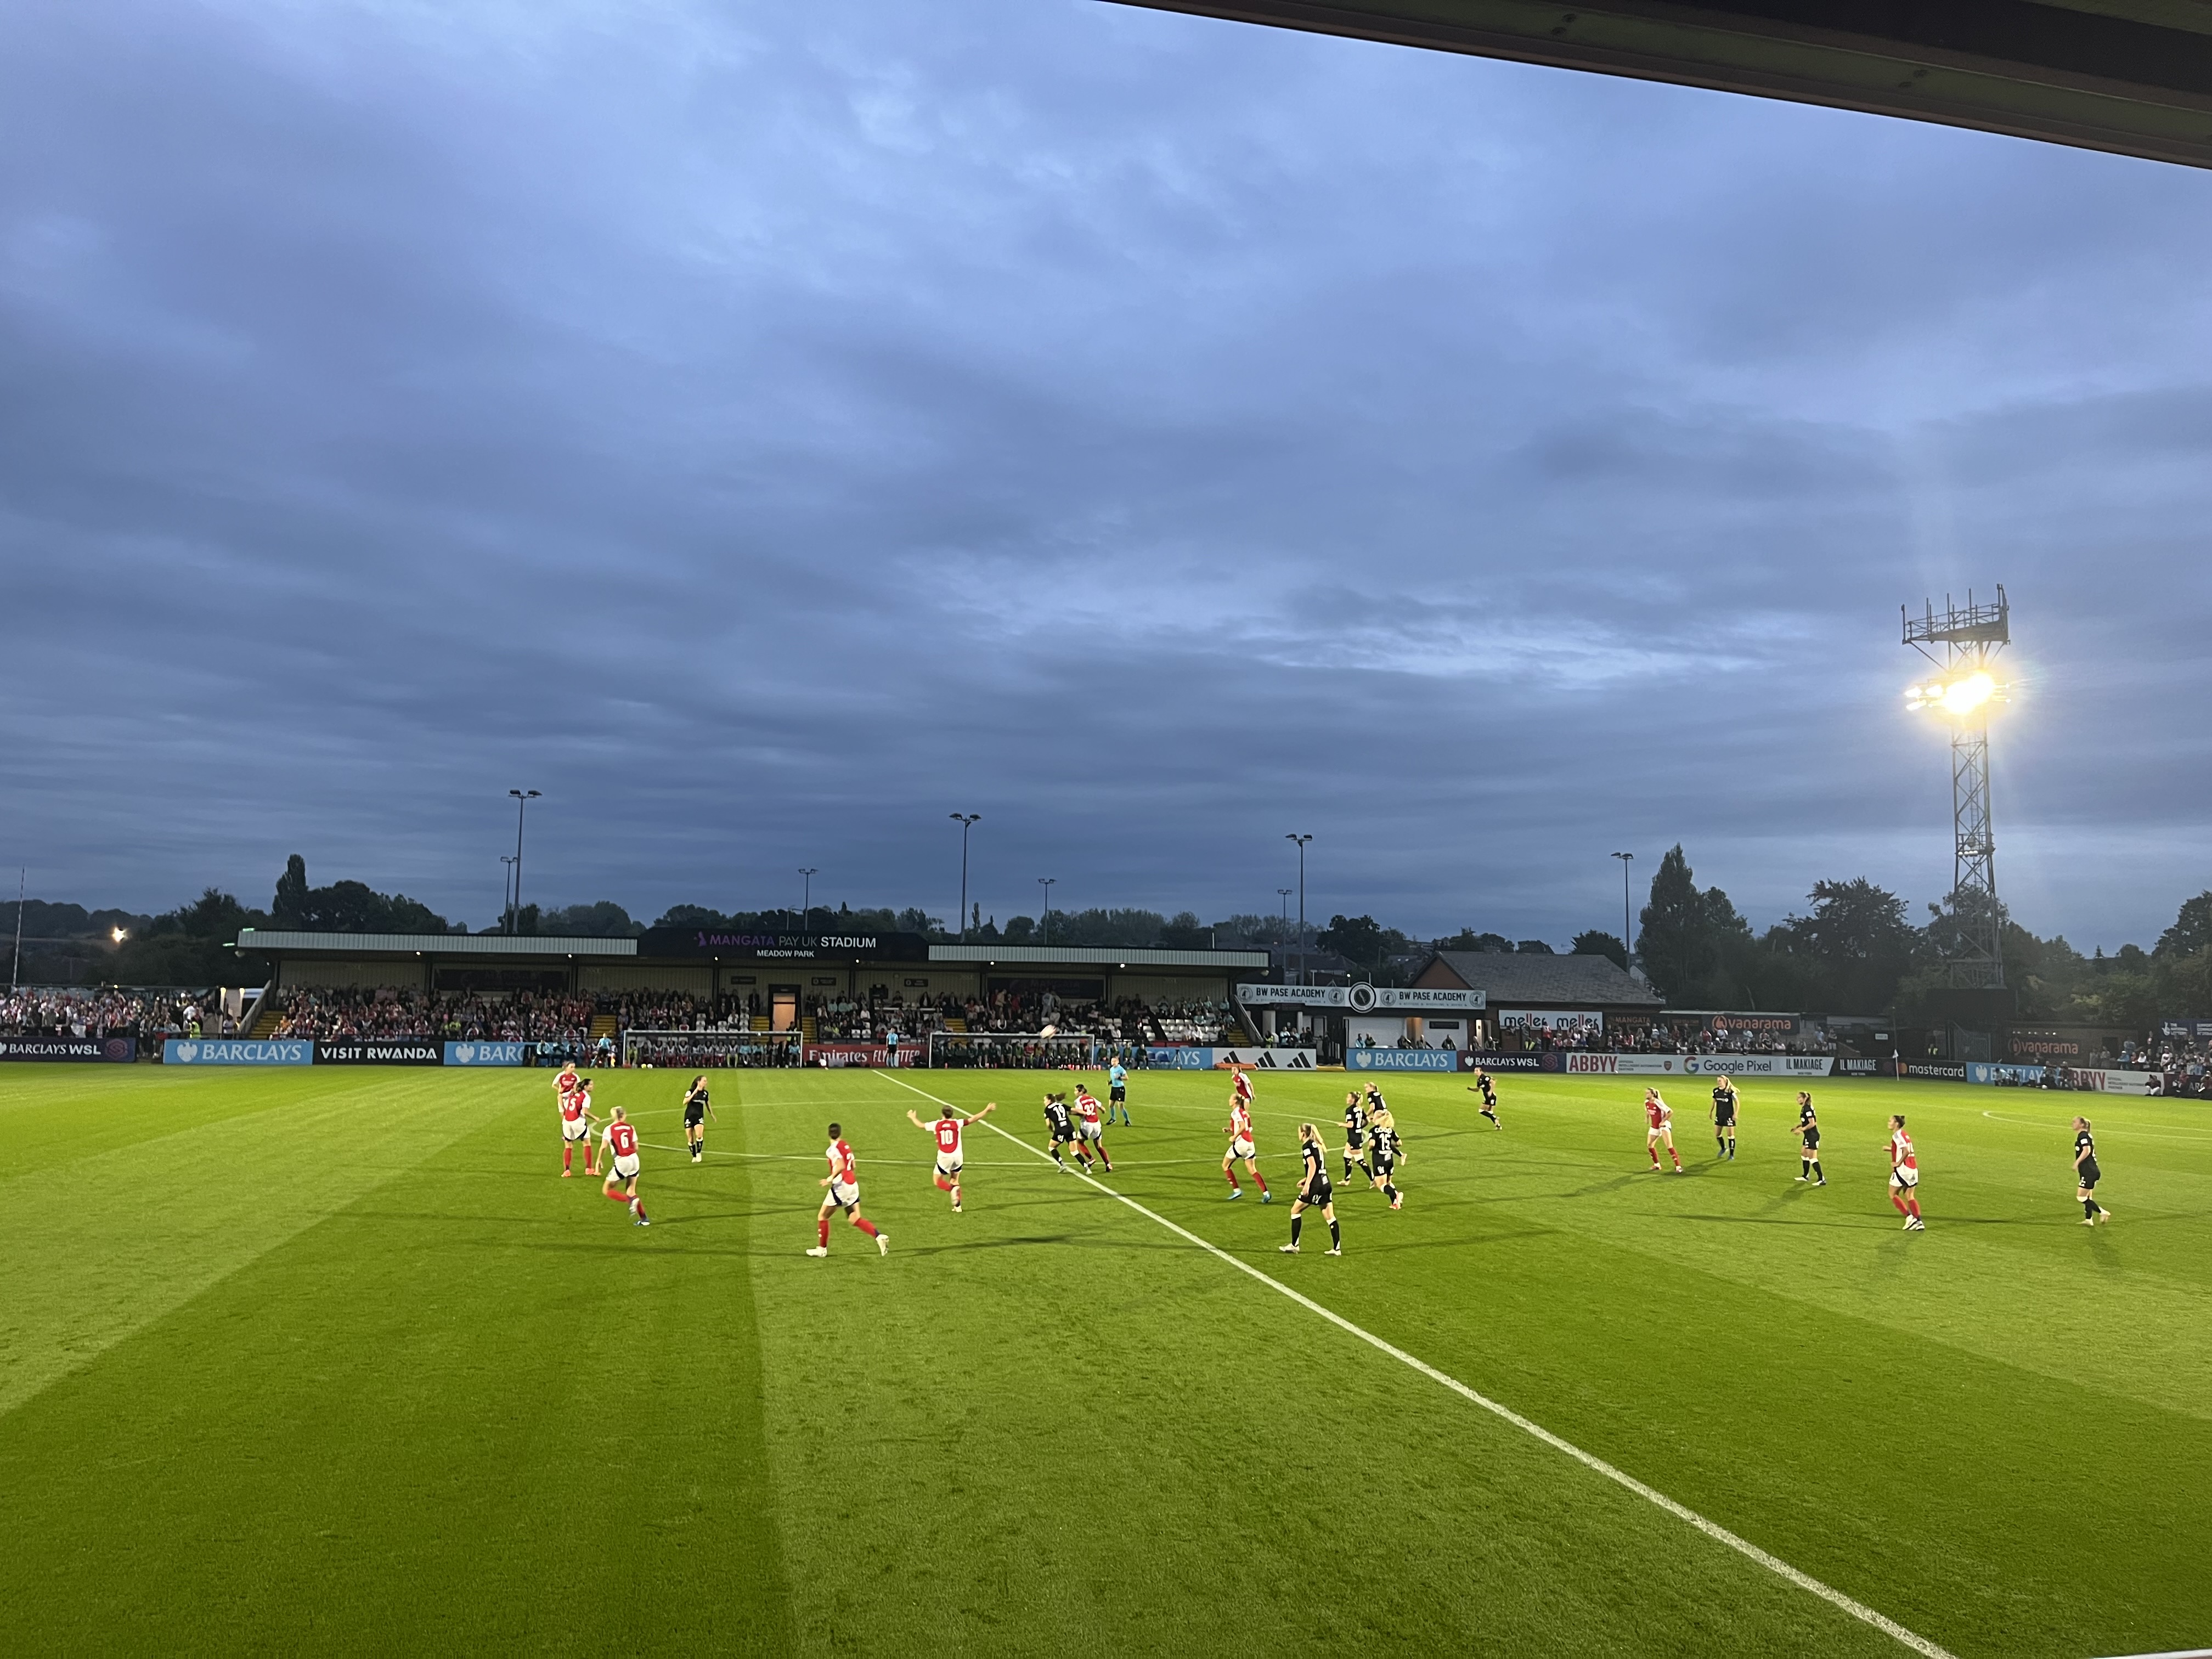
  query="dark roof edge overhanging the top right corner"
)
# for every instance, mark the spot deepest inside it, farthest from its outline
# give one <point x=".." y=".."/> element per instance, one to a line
<point x="2127" y="76"/>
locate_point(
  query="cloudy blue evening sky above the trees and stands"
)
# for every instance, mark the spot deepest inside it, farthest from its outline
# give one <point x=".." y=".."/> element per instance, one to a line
<point x="769" y="430"/>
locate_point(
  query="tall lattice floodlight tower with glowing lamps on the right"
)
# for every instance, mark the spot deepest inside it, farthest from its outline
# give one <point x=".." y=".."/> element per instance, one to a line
<point x="1963" y="643"/>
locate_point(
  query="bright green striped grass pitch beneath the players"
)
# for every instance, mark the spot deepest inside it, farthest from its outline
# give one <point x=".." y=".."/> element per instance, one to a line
<point x="337" y="1361"/>
